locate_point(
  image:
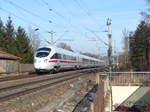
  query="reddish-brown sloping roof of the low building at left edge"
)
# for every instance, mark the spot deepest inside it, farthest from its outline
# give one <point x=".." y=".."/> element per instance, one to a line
<point x="6" y="55"/>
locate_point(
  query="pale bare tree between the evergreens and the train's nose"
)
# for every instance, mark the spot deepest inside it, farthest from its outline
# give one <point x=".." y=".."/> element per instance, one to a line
<point x="34" y="37"/>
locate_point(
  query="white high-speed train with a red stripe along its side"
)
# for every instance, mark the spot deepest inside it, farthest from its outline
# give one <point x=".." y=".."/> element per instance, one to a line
<point x="51" y="58"/>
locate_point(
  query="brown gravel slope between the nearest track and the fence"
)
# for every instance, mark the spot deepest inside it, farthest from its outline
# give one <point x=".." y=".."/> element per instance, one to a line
<point x="63" y="96"/>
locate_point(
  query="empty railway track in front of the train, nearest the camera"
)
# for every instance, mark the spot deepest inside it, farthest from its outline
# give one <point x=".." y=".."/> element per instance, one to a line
<point x="24" y="87"/>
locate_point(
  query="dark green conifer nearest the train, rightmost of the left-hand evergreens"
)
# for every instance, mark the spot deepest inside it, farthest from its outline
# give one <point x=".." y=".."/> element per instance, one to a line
<point x="24" y="49"/>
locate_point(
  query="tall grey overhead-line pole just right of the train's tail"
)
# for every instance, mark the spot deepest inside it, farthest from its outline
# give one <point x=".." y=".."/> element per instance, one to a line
<point x="109" y="43"/>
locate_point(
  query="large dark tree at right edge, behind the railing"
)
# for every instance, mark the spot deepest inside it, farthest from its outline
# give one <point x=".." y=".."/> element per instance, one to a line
<point x="138" y="46"/>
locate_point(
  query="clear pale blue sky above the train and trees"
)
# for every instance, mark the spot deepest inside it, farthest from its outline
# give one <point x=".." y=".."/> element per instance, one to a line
<point x="75" y="19"/>
